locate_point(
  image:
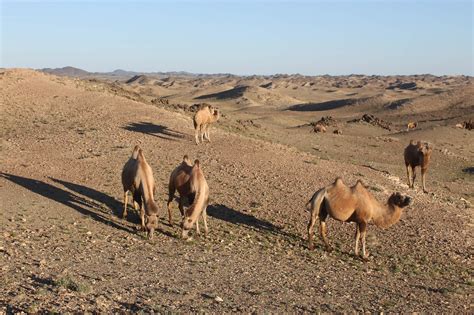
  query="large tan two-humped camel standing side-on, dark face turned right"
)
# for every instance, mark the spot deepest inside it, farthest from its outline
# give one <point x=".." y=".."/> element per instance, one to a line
<point x="352" y="204"/>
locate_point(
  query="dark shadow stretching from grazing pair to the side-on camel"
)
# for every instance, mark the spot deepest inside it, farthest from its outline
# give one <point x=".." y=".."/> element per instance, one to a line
<point x="227" y="214"/>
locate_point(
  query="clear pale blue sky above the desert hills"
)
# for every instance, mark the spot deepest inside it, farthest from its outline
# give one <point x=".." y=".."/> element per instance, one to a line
<point x="241" y="37"/>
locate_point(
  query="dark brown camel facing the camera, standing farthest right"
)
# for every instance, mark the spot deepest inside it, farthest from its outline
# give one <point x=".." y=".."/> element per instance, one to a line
<point x="417" y="154"/>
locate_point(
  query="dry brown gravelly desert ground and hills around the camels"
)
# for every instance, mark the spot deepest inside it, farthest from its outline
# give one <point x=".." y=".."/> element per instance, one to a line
<point x="64" y="247"/>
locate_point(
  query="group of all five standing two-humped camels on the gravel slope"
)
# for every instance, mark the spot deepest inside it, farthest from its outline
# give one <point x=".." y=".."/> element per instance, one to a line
<point x="337" y="200"/>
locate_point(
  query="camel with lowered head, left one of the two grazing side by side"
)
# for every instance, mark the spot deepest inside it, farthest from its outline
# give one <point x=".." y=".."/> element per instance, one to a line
<point x="137" y="177"/>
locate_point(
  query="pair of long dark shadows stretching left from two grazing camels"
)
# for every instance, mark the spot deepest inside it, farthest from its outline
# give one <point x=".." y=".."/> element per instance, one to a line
<point x="97" y="205"/>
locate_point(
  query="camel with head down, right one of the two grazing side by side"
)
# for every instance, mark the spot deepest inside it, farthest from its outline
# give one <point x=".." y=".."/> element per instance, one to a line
<point x="193" y="189"/>
